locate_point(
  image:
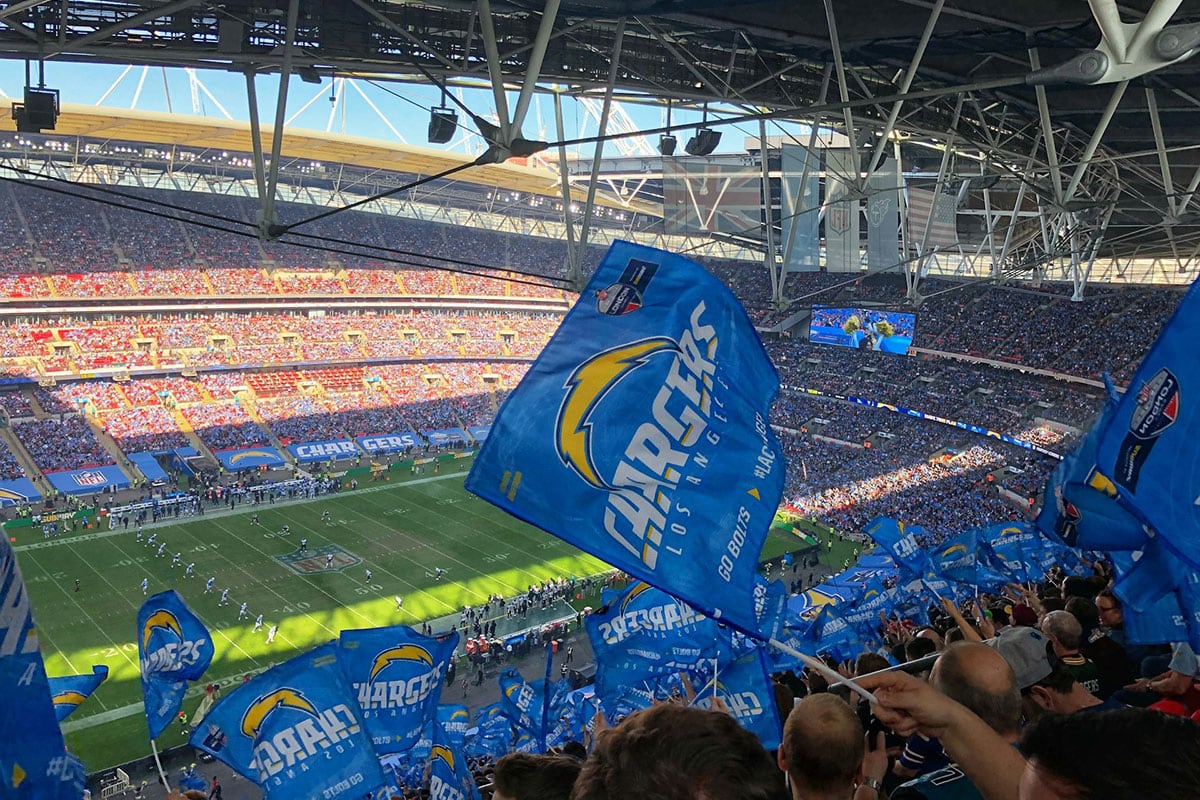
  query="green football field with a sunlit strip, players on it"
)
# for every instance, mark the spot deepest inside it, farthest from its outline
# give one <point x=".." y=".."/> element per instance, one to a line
<point x="400" y="531"/>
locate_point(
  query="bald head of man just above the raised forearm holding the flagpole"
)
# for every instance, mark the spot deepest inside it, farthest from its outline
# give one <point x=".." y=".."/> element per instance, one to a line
<point x="979" y="677"/>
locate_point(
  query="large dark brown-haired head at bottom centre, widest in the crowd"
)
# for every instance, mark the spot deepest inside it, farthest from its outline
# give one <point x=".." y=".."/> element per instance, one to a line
<point x="676" y="753"/>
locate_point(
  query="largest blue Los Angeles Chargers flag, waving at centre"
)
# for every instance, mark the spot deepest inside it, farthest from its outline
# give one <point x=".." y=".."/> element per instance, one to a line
<point x="658" y="458"/>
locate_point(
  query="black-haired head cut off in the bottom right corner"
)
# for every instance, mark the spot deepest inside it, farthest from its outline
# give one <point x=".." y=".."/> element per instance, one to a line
<point x="1087" y="757"/>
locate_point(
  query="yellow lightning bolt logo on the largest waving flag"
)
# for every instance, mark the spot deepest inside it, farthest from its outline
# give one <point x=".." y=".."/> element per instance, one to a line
<point x="591" y="382"/>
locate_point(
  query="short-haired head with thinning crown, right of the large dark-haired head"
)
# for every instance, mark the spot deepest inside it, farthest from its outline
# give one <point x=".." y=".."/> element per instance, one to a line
<point x="823" y="750"/>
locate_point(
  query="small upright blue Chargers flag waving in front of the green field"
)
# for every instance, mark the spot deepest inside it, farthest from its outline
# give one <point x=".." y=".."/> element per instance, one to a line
<point x="173" y="648"/>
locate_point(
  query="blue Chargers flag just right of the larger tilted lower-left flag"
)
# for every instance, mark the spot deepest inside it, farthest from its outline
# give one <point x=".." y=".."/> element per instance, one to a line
<point x="397" y="675"/>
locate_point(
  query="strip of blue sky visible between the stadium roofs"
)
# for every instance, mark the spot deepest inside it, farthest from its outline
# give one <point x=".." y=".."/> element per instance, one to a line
<point x="393" y="112"/>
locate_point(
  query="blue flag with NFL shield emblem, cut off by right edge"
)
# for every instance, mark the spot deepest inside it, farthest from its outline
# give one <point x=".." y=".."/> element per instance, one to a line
<point x="1149" y="447"/>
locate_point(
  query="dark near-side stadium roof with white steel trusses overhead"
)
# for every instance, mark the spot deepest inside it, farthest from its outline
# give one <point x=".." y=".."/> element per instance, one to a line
<point x="1106" y="145"/>
